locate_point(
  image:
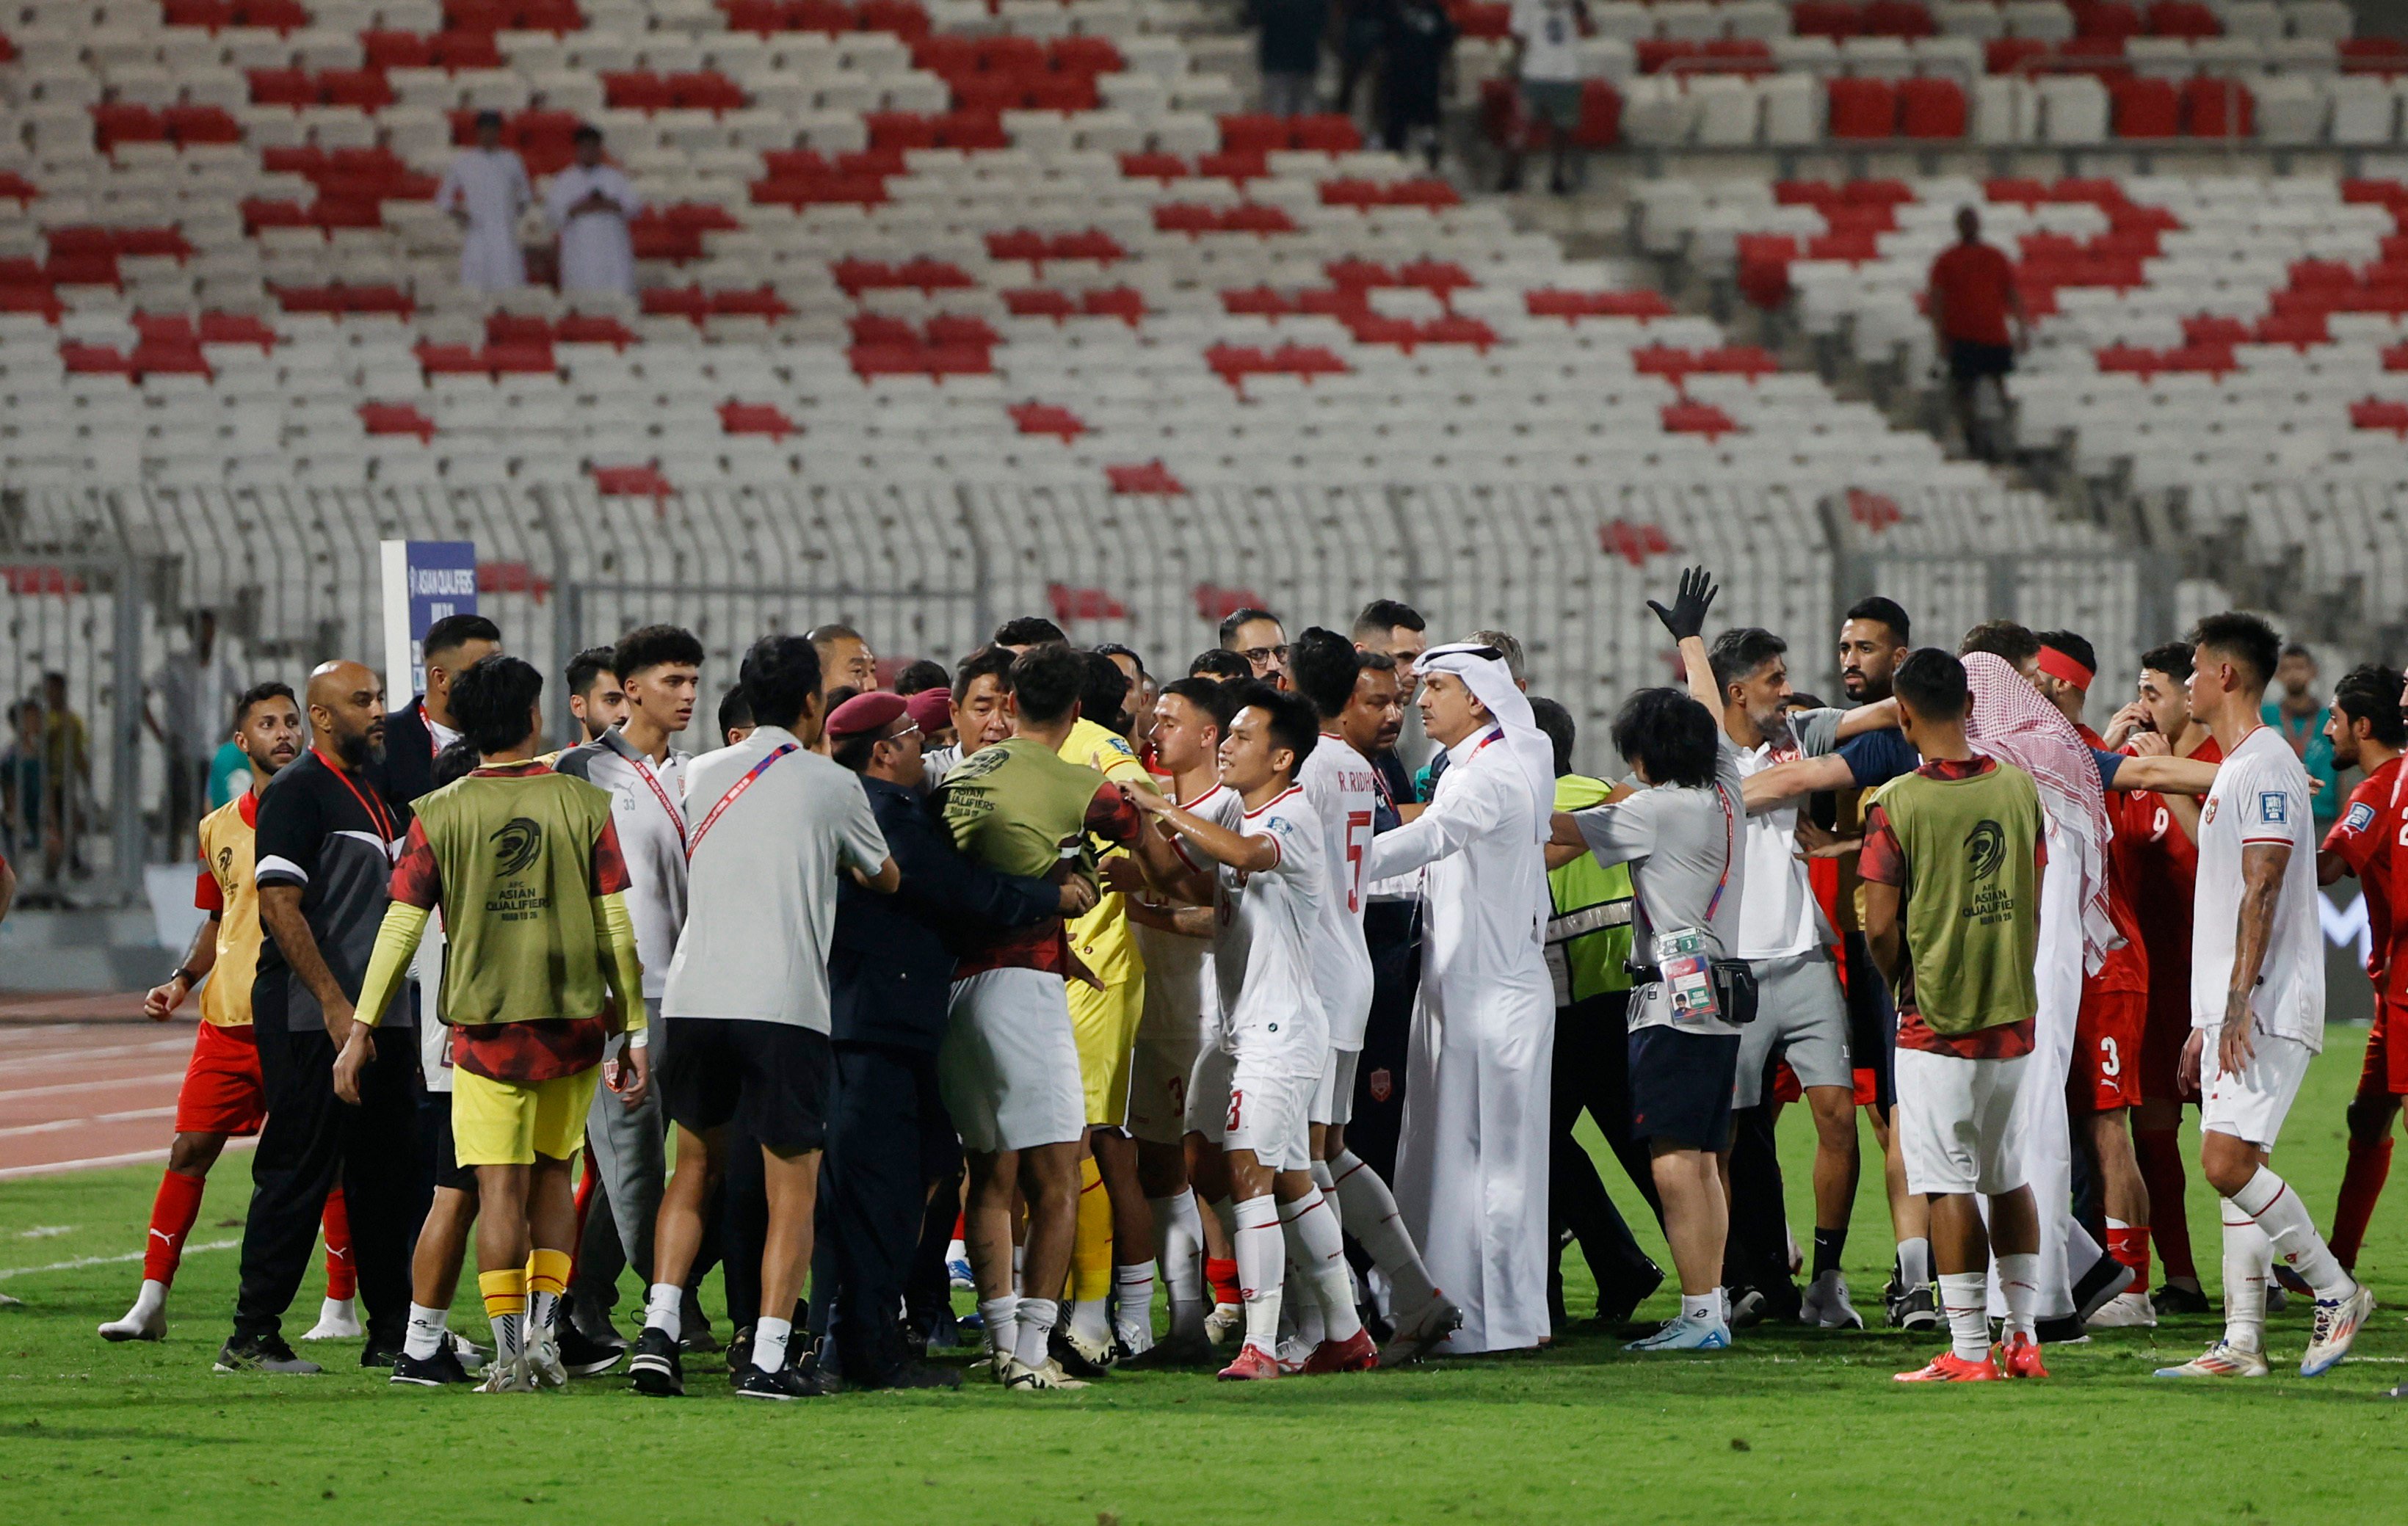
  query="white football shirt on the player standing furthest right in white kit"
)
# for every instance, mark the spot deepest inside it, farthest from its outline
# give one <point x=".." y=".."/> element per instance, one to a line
<point x="2260" y="798"/>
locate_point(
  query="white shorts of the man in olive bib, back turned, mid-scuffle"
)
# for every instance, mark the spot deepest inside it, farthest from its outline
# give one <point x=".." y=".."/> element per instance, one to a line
<point x="1010" y="1067"/>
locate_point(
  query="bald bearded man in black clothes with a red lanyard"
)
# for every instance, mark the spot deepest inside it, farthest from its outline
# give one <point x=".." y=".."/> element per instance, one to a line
<point x="326" y="848"/>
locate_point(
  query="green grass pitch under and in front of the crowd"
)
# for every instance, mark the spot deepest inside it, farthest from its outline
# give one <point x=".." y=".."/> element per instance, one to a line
<point x="1786" y="1429"/>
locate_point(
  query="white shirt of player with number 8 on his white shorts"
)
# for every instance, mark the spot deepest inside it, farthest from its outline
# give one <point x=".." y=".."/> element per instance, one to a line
<point x="1263" y="942"/>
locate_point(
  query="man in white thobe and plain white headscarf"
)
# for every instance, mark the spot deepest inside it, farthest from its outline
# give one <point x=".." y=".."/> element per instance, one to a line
<point x="1475" y="1147"/>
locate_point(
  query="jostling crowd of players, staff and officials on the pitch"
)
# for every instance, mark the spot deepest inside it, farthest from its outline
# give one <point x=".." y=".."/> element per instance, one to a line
<point x="1058" y="981"/>
